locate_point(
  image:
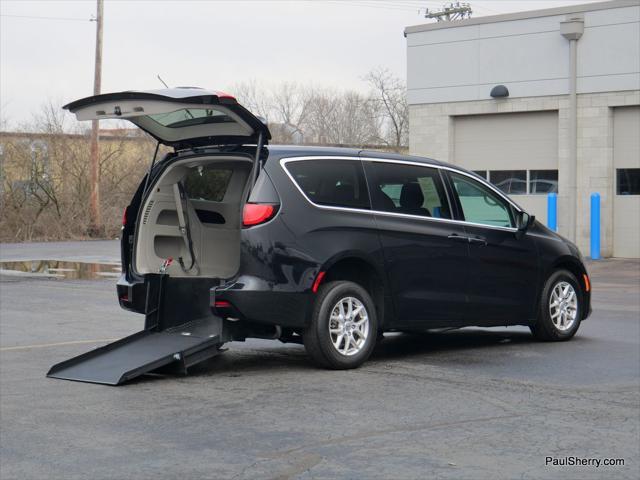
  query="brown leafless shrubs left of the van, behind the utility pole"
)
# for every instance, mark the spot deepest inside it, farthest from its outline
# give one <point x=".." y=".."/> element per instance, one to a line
<point x="45" y="179"/>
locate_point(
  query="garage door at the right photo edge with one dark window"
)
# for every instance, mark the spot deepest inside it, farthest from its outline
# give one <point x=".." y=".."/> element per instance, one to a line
<point x="626" y="203"/>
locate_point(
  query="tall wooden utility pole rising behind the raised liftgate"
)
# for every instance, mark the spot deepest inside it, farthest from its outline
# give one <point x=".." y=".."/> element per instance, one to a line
<point x="95" y="228"/>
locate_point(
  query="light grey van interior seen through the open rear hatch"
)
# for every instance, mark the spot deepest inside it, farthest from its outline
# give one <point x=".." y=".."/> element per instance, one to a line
<point x="193" y="216"/>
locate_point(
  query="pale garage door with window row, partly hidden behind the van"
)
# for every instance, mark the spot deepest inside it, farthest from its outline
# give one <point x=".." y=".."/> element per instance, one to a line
<point x="516" y="151"/>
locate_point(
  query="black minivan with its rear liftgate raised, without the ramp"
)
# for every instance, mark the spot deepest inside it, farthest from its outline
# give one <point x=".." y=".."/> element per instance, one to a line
<point x="324" y="246"/>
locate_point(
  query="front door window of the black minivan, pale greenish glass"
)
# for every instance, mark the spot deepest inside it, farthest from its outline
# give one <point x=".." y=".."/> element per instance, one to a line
<point x="480" y="204"/>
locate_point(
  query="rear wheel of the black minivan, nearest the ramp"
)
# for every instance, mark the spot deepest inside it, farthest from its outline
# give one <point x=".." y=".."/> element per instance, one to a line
<point x="343" y="328"/>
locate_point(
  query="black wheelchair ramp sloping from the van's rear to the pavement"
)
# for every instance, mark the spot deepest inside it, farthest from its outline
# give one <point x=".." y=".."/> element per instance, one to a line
<point x="144" y="352"/>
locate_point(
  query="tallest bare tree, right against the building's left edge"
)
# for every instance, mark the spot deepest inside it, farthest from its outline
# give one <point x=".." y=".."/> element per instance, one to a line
<point x="389" y="93"/>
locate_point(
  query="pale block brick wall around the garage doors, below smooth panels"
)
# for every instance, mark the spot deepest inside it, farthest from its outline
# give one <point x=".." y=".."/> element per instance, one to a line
<point x="431" y="135"/>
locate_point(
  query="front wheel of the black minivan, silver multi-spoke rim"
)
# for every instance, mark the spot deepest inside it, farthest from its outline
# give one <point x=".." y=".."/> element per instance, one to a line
<point x="560" y="309"/>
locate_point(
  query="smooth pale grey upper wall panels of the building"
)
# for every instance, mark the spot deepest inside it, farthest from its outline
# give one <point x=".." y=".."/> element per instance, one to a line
<point x="529" y="56"/>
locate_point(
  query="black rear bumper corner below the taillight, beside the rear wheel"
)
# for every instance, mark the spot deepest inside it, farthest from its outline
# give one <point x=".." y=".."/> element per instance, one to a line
<point x="257" y="302"/>
